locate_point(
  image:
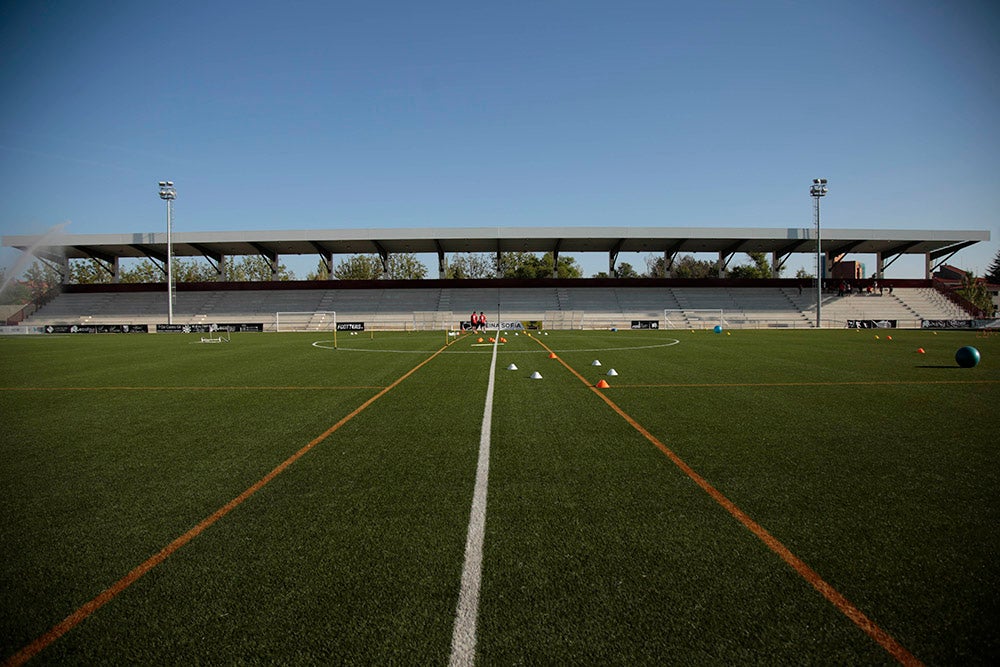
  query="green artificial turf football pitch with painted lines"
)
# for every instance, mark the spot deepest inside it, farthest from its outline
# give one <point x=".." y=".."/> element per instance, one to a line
<point x="874" y="467"/>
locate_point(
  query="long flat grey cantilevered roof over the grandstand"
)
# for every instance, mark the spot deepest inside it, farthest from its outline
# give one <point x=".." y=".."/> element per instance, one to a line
<point x="611" y="240"/>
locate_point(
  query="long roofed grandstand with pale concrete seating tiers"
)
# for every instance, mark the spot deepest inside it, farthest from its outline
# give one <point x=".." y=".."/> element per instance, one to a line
<point x="553" y="303"/>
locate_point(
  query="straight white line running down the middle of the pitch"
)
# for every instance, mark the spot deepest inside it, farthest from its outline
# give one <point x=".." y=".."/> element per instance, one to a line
<point x="463" y="639"/>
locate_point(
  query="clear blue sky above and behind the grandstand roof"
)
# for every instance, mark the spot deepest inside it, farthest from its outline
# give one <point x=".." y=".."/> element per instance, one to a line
<point x="326" y="115"/>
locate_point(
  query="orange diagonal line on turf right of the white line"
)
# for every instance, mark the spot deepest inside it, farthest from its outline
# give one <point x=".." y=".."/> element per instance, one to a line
<point x="845" y="606"/>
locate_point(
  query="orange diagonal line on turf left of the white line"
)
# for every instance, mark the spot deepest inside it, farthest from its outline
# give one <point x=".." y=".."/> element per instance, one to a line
<point x="115" y="589"/>
